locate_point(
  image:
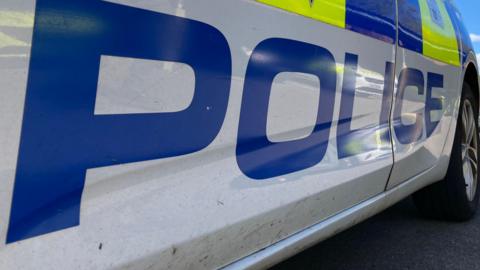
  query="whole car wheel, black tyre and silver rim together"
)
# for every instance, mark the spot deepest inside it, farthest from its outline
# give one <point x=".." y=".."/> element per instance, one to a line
<point x="456" y="196"/>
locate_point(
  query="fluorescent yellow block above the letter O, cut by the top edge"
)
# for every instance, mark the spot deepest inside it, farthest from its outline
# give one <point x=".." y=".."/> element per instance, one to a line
<point x="329" y="11"/>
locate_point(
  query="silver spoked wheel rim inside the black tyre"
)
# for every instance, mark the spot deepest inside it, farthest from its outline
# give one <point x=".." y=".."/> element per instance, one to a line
<point x="469" y="149"/>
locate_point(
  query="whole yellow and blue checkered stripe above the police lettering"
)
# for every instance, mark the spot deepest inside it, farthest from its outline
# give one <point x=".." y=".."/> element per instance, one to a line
<point x="426" y="26"/>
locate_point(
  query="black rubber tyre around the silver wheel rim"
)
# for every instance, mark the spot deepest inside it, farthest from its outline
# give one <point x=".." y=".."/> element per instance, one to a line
<point x="448" y="199"/>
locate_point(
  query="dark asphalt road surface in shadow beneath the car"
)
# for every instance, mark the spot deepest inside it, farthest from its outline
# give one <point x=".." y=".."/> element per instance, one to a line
<point x="398" y="238"/>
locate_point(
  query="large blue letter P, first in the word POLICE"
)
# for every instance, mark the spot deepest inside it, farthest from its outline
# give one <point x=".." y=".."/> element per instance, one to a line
<point x="61" y="137"/>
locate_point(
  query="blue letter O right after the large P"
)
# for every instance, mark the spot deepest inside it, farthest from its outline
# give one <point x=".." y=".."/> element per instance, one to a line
<point x="258" y="157"/>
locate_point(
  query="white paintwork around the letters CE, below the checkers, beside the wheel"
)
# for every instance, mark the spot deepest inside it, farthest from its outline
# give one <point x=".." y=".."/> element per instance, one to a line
<point x="415" y="157"/>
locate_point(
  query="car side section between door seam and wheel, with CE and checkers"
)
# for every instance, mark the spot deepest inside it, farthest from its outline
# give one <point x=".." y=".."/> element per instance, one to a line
<point x="428" y="71"/>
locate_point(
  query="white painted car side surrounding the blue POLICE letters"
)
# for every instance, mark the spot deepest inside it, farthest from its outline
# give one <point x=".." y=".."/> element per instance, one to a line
<point x="200" y="210"/>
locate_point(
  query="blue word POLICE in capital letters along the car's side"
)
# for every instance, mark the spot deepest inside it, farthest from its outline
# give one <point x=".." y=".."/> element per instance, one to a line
<point x="62" y="137"/>
